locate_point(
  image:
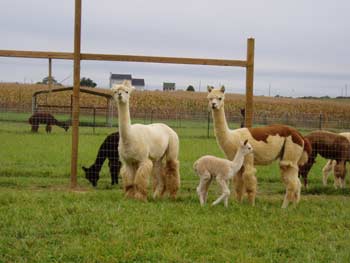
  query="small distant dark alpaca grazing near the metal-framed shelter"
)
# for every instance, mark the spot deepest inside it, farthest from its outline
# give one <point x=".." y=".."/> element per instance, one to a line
<point x="45" y="118"/>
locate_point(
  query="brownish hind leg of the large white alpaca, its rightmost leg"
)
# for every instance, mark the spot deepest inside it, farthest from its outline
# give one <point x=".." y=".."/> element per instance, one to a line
<point x="172" y="177"/>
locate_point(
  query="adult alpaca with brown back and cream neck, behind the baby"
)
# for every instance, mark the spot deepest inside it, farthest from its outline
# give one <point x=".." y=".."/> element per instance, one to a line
<point x="269" y="142"/>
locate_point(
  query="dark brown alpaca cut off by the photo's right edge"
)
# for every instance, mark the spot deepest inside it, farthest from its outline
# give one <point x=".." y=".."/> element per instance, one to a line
<point x="330" y="146"/>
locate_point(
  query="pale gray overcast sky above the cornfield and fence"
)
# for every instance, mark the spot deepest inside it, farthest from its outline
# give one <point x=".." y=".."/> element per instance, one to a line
<point x="301" y="46"/>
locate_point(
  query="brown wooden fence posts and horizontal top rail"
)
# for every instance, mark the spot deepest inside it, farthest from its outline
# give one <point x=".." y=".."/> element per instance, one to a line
<point x="77" y="56"/>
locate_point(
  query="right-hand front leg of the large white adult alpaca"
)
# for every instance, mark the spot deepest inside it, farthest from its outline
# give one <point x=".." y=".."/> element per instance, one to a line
<point x="141" y="179"/>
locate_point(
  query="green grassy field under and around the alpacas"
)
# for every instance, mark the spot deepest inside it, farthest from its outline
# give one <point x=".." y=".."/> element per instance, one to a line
<point x="41" y="220"/>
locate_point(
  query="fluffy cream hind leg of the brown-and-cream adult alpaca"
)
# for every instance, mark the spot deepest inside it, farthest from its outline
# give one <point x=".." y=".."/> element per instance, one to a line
<point x="292" y="183"/>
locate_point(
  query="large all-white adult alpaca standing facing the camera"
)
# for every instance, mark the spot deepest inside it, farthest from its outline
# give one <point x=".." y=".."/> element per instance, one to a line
<point x="142" y="150"/>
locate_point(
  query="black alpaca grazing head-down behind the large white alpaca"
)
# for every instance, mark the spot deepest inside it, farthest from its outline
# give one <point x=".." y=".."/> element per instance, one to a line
<point x="108" y="150"/>
